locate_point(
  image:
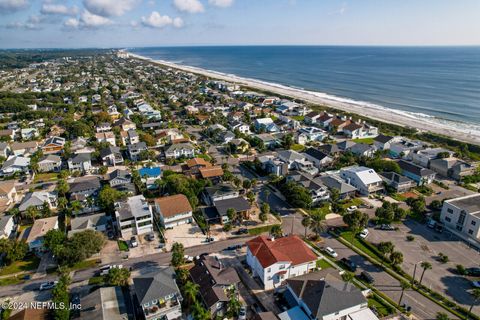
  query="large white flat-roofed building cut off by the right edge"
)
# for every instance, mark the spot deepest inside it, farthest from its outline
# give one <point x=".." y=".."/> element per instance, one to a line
<point x="462" y="216"/>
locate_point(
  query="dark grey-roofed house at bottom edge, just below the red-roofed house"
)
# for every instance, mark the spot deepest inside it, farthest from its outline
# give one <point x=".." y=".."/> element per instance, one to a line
<point x="323" y="295"/>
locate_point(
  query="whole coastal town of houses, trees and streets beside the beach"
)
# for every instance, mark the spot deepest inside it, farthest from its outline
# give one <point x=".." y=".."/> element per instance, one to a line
<point x="130" y="189"/>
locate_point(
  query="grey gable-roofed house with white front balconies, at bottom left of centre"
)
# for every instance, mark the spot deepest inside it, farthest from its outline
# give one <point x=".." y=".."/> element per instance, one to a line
<point x="158" y="295"/>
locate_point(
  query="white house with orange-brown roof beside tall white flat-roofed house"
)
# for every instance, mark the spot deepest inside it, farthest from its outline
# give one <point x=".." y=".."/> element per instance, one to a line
<point x="174" y="210"/>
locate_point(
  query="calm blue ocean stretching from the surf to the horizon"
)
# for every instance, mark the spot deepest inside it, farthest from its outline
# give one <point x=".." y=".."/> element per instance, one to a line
<point x="430" y="82"/>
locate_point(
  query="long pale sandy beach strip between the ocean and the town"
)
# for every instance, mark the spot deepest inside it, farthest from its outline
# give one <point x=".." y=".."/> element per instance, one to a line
<point x="379" y="113"/>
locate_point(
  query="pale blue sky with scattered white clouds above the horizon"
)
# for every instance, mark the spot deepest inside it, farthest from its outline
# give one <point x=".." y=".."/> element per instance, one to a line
<point x="129" y="23"/>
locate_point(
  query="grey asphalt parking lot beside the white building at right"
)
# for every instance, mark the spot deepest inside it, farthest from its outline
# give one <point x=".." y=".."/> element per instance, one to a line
<point x="426" y="246"/>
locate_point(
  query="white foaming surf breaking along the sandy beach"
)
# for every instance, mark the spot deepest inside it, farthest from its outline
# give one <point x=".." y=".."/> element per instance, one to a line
<point x="463" y="127"/>
